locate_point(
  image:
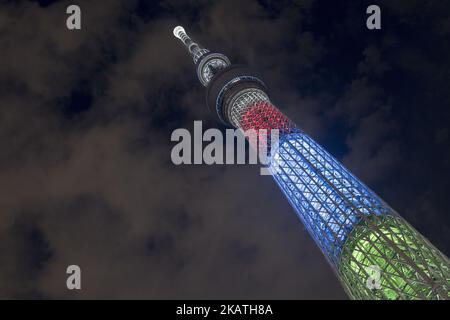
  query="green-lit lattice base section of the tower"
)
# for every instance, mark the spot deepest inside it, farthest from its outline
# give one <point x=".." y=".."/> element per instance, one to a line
<point x="386" y="258"/>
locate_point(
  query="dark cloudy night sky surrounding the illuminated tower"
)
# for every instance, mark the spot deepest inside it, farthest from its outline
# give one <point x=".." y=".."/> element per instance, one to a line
<point x="86" y="117"/>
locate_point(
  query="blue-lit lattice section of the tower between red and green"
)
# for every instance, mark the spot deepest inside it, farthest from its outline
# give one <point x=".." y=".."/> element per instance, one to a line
<point x="329" y="200"/>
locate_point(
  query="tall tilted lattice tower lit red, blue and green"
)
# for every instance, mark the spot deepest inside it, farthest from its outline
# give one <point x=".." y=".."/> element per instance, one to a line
<point x="375" y="253"/>
